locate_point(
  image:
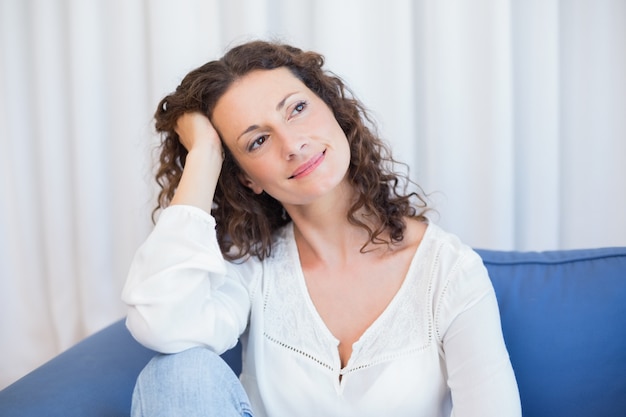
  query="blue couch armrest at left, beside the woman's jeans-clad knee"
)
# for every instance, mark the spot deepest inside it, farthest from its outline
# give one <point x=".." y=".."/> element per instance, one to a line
<point x="94" y="378"/>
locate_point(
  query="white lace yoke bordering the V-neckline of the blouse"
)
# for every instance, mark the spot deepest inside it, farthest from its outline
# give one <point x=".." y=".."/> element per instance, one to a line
<point x="291" y="321"/>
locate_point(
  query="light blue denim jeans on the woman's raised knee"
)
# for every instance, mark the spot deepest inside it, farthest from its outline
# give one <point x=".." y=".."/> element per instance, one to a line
<point x="196" y="382"/>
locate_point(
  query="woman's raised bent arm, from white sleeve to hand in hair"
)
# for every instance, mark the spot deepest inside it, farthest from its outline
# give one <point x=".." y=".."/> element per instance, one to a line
<point x="180" y="291"/>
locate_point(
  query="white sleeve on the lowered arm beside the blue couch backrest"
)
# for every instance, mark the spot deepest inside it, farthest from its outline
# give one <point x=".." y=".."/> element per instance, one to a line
<point x="480" y="375"/>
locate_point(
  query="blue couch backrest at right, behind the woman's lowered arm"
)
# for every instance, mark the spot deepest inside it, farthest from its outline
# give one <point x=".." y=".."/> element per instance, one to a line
<point x="564" y="322"/>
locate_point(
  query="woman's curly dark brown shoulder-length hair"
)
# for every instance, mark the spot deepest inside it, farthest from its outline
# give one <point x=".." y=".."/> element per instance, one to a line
<point x="247" y="221"/>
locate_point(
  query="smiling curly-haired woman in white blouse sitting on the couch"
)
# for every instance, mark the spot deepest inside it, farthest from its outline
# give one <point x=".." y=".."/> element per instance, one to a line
<point x="283" y="226"/>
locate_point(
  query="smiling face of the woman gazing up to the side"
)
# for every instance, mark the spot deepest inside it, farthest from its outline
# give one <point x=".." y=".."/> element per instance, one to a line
<point x="283" y="136"/>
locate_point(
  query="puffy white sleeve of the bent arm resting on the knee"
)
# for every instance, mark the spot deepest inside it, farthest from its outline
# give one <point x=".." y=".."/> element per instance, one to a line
<point x="180" y="291"/>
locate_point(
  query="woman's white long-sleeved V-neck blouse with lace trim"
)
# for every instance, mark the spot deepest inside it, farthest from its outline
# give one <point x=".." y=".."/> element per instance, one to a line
<point x="436" y="350"/>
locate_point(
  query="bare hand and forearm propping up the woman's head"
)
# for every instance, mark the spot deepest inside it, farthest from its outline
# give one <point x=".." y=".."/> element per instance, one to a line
<point x="202" y="164"/>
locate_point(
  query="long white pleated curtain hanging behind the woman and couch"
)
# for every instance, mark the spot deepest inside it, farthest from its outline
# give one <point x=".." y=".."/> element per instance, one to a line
<point x="512" y="112"/>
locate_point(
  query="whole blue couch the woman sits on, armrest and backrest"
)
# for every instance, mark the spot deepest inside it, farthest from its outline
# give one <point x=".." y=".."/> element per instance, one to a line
<point x="563" y="317"/>
